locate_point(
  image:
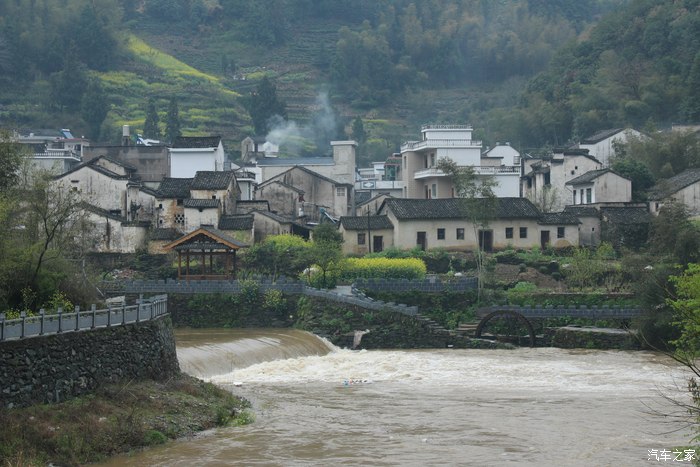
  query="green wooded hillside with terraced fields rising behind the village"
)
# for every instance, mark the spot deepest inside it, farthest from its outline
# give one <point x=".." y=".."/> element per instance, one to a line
<point x="530" y="72"/>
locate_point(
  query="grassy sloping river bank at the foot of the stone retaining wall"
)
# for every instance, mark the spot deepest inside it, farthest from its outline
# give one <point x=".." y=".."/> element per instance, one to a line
<point x="116" y="419"/>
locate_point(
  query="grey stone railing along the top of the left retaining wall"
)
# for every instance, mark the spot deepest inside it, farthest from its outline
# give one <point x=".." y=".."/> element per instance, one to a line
<point x="77" y="320"/>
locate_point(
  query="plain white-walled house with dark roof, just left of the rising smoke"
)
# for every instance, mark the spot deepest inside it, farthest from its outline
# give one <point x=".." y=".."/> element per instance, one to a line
<point x="190" y="154"/>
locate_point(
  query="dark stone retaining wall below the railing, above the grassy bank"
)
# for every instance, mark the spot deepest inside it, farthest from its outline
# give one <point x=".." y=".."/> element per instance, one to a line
<point x="58" y="367"/>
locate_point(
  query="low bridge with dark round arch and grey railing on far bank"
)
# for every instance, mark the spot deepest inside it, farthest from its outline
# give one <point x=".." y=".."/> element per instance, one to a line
<point x="514" y="322"/>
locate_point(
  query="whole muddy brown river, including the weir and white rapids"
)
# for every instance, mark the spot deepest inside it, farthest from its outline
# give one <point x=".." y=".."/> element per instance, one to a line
<point x="315" y="404"/>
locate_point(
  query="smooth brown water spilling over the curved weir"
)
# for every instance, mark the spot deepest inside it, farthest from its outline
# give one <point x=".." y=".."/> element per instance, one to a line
<point x="205" y="353"/>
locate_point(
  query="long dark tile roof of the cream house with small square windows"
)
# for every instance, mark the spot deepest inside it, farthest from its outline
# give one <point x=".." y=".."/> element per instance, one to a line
<point x="452" y="208"/>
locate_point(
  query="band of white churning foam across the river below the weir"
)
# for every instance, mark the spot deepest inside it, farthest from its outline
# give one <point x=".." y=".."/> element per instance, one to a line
<point x="523" y="368"/>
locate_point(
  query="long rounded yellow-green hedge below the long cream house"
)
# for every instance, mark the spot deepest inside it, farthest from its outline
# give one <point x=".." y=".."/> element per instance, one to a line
<point x="404" y="268"/>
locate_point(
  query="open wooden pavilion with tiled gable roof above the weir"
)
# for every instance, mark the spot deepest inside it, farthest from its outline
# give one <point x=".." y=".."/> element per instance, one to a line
<point x="203" y="246"/>
